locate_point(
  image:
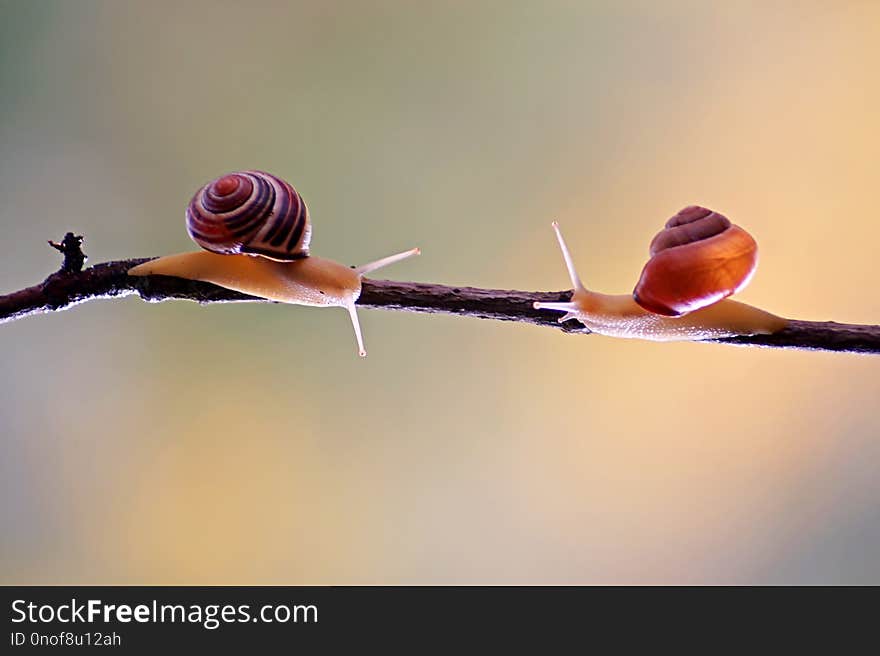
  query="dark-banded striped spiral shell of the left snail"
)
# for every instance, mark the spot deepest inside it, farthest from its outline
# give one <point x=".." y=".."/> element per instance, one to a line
<point x="250" y="212"/>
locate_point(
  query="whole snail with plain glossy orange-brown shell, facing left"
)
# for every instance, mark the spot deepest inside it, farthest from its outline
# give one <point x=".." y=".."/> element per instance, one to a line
<point x="697" y="261"/>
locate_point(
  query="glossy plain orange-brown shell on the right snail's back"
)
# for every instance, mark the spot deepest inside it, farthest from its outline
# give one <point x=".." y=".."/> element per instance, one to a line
<point x="698" y="259"/>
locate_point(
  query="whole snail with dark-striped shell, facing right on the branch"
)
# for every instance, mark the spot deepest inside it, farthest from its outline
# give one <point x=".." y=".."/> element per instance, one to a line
<point x="255" y="230"/>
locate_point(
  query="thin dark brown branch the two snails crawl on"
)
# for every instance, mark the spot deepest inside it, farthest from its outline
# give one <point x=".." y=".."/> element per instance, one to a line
<point x="71" y="285"/>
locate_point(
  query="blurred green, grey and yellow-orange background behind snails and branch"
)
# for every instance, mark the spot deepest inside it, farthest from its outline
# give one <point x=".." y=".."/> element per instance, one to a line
<point x="247" y="443"/>
